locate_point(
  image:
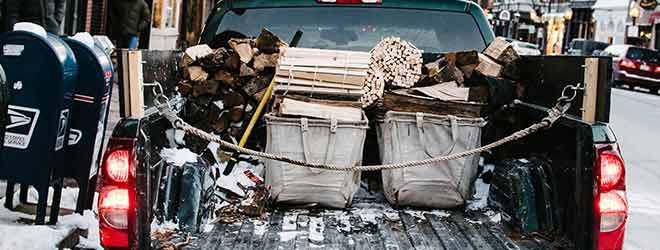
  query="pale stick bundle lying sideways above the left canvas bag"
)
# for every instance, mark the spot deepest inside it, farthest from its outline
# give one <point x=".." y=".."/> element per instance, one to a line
<point x="317" y="72"/>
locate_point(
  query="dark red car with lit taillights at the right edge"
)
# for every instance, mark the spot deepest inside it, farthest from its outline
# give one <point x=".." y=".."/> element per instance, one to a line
<point x="635" y="66"/>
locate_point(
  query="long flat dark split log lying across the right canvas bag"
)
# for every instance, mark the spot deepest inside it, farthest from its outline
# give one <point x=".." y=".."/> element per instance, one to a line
<point x="411" y="103"/>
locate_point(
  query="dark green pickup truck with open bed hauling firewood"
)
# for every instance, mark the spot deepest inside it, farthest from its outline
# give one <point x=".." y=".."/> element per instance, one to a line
<point x="586" y="161"/>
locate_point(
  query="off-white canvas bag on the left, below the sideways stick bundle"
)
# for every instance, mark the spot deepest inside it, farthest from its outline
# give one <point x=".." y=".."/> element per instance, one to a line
<point x="325" y="141"/>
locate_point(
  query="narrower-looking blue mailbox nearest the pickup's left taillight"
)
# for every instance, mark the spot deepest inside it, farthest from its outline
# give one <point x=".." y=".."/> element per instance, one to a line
<point x="88" y="115"/>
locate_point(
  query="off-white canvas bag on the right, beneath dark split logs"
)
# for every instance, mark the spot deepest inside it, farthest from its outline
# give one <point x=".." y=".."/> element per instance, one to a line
<point x="405" y="137"/>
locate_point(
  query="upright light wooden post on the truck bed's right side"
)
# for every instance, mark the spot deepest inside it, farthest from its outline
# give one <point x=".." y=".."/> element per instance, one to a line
<point x="595" y="81"/>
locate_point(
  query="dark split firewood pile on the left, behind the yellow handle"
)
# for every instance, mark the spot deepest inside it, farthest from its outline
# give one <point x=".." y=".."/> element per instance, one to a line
<point x="223" y="85"/>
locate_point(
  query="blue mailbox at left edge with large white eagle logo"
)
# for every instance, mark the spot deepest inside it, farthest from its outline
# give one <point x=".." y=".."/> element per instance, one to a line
<point x="41" y="72"/>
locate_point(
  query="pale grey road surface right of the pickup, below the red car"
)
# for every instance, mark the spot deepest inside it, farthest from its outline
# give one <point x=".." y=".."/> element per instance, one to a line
<point x="635" y="118"/>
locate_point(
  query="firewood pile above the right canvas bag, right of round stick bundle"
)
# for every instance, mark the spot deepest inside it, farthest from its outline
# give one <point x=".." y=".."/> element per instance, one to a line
<point x="455" y="84"/>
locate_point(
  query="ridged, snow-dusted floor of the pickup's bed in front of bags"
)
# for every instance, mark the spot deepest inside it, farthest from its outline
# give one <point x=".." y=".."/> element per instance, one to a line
<point x="371" y="223"/>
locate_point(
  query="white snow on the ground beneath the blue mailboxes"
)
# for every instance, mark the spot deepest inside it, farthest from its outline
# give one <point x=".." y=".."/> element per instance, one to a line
<point x="28" y="237"/>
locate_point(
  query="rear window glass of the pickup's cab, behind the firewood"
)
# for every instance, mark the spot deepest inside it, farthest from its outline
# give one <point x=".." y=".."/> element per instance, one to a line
<point x="359" y="28"/>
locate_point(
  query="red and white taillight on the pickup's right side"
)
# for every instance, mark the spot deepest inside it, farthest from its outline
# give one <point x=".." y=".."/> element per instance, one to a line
<point x="611" y="204"/>
